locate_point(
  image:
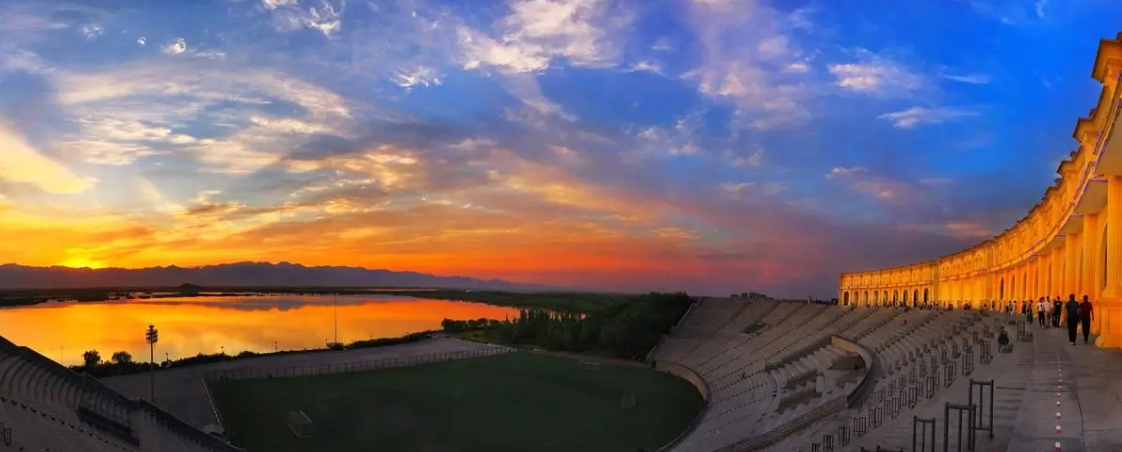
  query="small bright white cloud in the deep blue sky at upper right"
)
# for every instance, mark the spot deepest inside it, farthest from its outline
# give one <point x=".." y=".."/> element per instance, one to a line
<point x="877" y="76"/>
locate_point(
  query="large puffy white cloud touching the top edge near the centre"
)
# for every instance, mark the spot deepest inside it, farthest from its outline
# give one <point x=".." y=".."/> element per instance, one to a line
<point x="536" y="32"/>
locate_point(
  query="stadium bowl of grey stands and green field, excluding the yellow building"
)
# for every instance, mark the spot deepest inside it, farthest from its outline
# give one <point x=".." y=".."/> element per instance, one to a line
<point x="734" y="375"/>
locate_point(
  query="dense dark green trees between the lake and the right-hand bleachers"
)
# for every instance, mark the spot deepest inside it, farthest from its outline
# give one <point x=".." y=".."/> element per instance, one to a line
<point x="626" y="329"/>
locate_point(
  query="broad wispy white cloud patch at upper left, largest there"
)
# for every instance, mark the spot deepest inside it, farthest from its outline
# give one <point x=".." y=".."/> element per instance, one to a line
<point x="139" y="110"/>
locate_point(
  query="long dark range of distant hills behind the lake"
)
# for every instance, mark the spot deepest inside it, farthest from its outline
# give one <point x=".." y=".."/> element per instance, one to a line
<point x="238" y="275"/>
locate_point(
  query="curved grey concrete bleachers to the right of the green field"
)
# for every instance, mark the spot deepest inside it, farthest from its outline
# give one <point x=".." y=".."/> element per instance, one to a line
<point x="784" y="375"/>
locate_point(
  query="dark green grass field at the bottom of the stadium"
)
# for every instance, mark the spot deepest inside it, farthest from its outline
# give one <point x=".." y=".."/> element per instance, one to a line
<point x="509" y="403"/>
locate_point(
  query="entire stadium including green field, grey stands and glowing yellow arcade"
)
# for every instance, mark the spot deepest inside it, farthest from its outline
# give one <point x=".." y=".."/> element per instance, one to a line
<point x="950" y="370"/>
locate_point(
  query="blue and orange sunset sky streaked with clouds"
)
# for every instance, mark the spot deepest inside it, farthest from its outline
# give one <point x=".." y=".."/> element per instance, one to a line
<point x="702" y="145"/>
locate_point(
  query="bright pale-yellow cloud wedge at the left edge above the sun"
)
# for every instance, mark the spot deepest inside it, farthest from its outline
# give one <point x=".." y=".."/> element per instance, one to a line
<point x="24" y="164"/>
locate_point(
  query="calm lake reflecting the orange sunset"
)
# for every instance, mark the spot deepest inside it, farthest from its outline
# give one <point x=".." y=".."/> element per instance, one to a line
<point x="189" y="327"/>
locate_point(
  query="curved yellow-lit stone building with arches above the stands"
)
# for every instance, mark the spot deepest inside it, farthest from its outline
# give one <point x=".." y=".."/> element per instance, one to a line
<point x="1071" y="243"/>
